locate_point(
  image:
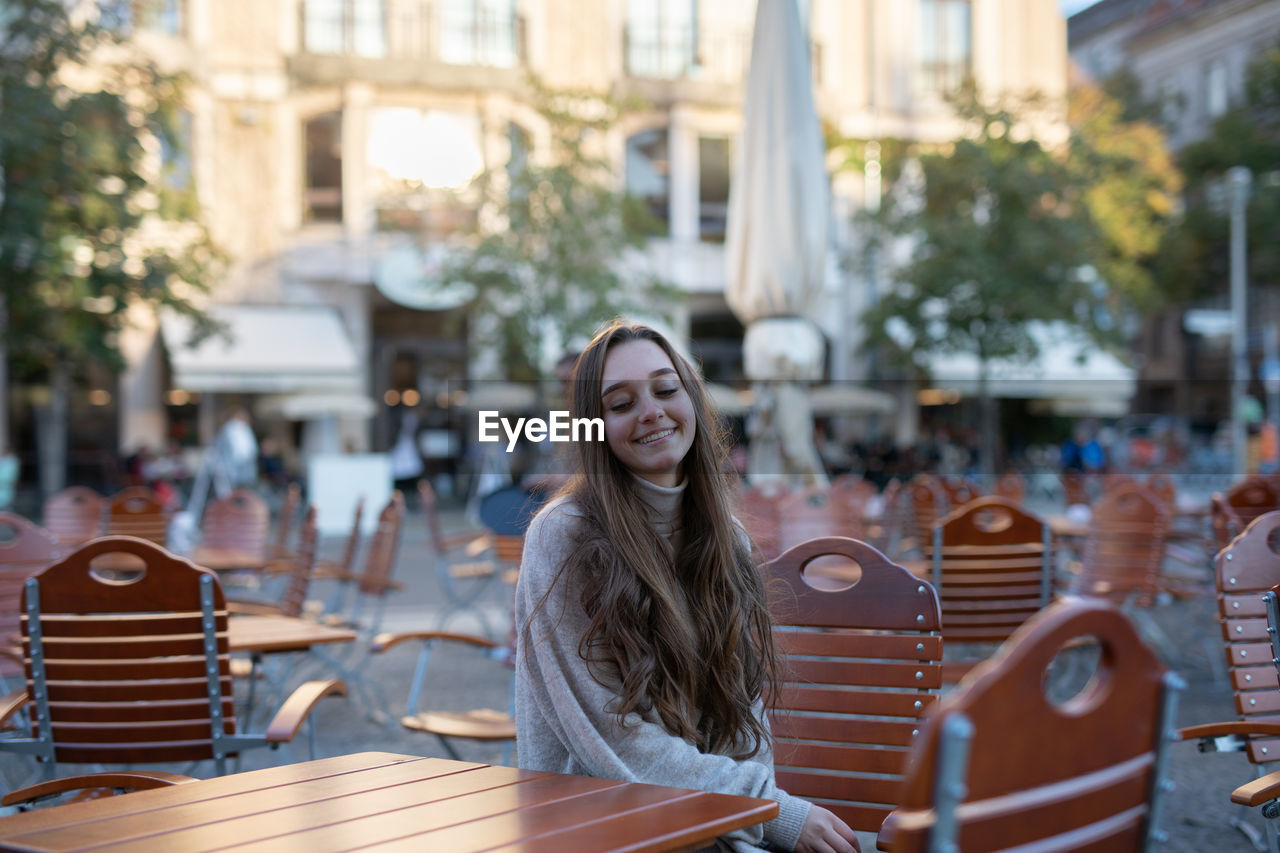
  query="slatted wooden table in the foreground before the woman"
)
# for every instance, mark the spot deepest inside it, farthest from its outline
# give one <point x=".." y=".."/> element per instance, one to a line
<point x="390" y="802"/>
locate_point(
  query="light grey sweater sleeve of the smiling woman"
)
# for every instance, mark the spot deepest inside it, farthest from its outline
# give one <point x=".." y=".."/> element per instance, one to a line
<point x="565" y="720"/>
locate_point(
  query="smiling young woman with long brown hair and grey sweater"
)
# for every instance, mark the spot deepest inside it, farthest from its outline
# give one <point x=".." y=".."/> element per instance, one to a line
<point x="644" y="638"/>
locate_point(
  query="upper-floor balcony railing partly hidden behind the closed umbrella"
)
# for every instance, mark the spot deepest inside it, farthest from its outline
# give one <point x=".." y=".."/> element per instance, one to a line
<point x="703" y="53"/>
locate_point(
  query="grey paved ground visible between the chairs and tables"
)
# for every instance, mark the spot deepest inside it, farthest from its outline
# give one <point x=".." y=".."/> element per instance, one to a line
<point x="1197" y="810"/>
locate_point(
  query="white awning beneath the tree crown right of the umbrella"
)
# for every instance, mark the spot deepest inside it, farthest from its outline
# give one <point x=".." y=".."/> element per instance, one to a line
<point x="1069" y="367"/>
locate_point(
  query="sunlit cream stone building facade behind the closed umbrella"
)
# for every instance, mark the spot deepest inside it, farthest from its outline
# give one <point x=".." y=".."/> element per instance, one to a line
<point x="309" y="120"/>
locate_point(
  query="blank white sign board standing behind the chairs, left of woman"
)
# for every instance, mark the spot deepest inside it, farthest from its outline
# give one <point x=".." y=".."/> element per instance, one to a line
<point x="337" y="481"/>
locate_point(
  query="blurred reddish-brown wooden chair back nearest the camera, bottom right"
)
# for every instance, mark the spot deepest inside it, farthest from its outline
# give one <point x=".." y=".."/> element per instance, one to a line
<point x="1000" y="767"/>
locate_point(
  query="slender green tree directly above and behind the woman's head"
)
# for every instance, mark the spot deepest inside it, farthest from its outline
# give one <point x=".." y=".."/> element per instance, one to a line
<point x="552" y="256"/>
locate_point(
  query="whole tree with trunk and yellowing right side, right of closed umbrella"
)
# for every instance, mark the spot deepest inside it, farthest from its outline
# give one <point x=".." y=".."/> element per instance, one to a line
<point x="1008" y="234"/>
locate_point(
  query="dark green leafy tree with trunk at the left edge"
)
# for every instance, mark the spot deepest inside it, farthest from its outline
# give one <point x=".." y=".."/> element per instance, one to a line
<point x="90" y="231"/>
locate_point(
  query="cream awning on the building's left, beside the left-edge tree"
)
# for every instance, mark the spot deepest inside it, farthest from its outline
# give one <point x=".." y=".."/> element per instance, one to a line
<point x="268" y="349"/>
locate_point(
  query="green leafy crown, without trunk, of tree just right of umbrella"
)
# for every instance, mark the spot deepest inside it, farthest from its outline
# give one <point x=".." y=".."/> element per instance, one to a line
<point x="1002" y="238"/>
